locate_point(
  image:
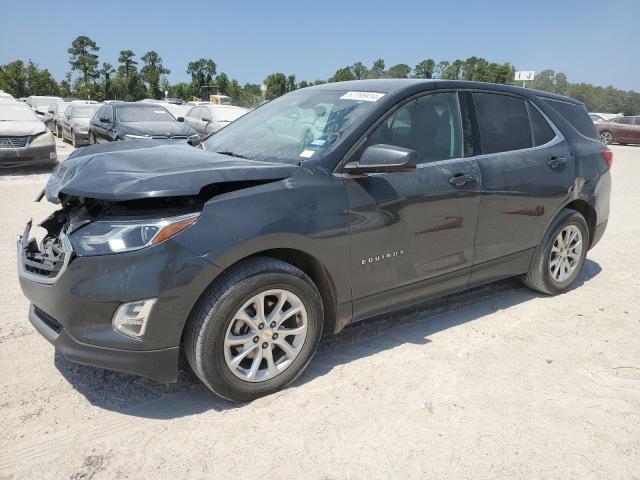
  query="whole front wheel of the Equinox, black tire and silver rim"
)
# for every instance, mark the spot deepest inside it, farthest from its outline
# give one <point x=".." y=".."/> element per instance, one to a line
<point x="256" y="330"/>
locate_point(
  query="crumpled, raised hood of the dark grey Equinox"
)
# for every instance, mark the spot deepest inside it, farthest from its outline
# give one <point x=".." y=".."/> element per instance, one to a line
<point x="152" y="168"/>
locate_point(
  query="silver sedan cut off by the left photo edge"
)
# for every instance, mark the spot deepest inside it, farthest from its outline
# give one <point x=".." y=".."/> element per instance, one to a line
<point x="24" y="139"/>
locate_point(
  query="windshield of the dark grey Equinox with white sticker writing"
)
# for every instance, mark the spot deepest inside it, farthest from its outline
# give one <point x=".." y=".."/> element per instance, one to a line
<point x="300" y="125"/>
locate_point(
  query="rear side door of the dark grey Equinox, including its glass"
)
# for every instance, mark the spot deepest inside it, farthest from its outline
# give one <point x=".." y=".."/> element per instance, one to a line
<point x="527" y="172"/>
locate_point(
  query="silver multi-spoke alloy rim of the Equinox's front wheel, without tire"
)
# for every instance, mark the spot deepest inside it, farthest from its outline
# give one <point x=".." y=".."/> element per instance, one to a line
<point x="265" y="335"/>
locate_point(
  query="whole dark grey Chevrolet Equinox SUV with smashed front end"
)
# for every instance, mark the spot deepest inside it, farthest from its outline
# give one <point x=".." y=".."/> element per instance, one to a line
<point x="240" y="252"/>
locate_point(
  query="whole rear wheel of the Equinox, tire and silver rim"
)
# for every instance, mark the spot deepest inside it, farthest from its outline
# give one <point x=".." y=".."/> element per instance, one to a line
<point x="559" y="259"/>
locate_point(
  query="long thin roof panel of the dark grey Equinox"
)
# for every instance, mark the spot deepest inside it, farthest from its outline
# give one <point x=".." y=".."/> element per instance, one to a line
<point x="396" y="85"/>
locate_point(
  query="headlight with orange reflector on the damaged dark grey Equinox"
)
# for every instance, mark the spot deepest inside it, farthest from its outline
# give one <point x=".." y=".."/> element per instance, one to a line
<point x="105" y="237"/>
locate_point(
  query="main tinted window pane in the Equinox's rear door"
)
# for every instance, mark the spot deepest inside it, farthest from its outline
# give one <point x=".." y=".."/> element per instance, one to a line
<point x="503" y="121"/>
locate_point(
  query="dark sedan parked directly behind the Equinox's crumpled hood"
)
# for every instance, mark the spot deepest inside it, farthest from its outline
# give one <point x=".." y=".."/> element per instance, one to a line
<point x="140" y="120"/>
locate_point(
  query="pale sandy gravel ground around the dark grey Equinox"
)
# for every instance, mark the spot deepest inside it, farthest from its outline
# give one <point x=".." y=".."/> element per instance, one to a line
<point x="497" y="382"/>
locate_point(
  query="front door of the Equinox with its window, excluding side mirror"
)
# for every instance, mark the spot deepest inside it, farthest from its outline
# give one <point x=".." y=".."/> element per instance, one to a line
<point x="412" y="233"/>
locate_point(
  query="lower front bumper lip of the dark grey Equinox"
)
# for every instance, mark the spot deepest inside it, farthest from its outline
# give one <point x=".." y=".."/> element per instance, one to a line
<point x="159" y="365"/>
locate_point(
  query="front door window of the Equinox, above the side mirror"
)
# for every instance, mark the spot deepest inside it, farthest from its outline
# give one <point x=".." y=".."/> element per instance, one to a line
<point x="430" y="124"/>
